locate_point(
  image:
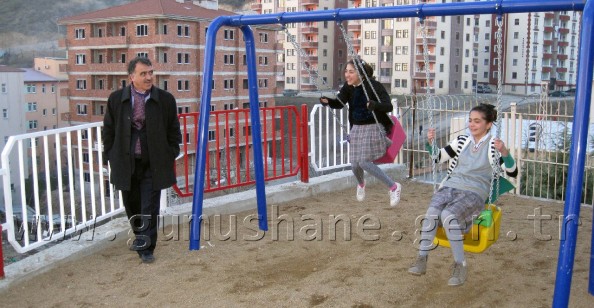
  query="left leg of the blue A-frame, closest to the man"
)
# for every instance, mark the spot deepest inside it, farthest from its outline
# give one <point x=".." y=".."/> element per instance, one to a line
<point x="202" y="144"/>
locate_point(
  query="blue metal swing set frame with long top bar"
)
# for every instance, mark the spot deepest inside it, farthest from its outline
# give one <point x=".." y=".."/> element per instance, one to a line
<point x="420" y="11"/>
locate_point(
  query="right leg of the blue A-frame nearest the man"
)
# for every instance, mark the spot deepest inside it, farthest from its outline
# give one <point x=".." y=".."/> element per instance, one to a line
<point x="250" y="50"/>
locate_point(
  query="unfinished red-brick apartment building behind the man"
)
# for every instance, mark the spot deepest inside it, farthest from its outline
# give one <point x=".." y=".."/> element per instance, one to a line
<point x="172" y="33"/>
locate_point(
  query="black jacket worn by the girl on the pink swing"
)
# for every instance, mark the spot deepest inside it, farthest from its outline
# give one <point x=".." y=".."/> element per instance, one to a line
<point x="381" y="108"/>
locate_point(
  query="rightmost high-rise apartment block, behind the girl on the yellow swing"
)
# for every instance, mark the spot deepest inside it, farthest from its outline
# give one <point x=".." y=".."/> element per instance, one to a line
<point x="537" y="47"/>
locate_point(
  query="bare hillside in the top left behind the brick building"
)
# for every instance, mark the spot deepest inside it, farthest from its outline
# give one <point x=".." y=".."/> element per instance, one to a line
<point x="28" y="28"/>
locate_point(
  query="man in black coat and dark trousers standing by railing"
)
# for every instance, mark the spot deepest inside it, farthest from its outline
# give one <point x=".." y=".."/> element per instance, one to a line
<point x="141" y="136"/>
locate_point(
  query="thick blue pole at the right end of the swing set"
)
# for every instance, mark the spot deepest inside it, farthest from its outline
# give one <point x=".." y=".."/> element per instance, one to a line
<point x="575" y="176"/>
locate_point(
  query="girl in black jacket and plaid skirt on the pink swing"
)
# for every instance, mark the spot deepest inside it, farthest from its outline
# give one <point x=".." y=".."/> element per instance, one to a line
<point x="367" y="142"/>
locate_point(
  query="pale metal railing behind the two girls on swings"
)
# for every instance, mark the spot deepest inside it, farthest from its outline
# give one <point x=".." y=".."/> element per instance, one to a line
<point x="541" y="153"/>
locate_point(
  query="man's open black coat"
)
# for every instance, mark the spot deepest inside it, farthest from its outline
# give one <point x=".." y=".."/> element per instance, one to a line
<point x="162" y="133"/>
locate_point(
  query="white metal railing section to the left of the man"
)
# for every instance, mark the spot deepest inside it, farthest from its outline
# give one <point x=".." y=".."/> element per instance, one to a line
<point x="54" y="185"/>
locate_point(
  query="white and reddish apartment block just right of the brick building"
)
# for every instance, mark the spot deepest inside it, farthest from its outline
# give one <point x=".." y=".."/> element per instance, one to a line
<point x="317" y="62"/>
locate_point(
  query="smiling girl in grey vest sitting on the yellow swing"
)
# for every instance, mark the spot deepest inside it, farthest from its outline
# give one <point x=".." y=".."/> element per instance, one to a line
<point x="462" y="194"/>
